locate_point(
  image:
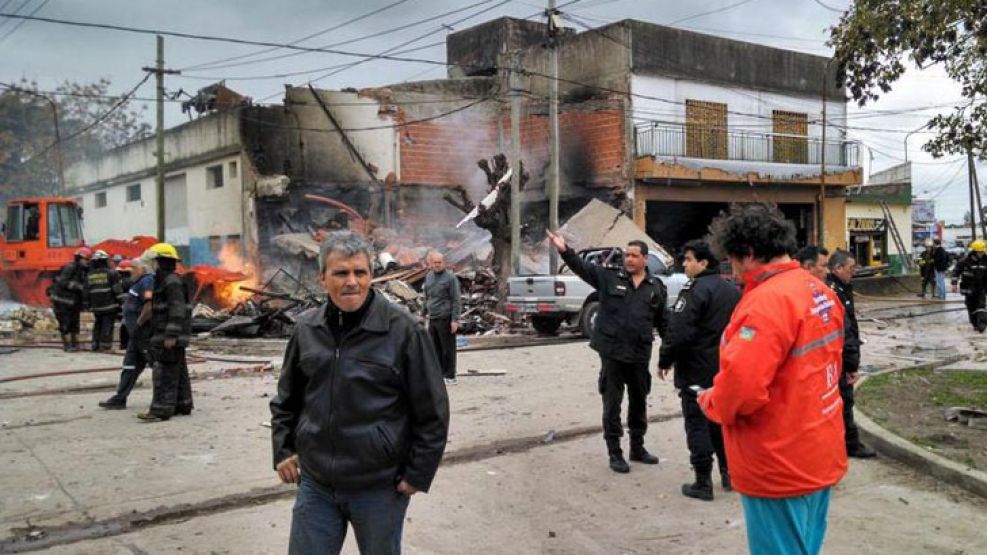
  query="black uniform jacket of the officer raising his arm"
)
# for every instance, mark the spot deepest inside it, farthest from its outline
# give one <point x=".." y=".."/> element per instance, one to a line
<point x="628" y="315"/>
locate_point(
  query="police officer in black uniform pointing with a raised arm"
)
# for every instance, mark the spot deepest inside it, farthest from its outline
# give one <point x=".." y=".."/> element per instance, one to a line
<point x="632" y="304"/>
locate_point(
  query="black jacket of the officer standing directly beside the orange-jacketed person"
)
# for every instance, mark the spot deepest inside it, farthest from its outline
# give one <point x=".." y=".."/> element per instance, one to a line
<point x="695" y="325"/>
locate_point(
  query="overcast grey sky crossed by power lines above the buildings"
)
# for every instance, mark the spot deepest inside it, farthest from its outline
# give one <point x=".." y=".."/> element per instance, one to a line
<point x="51" y="54"/>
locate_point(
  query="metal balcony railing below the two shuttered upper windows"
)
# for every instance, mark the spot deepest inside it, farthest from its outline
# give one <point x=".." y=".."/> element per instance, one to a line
<point x="696" y="141"/>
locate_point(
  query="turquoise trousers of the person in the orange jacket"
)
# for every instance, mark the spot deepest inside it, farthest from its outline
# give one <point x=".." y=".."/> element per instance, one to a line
<point x="788" y="525"/>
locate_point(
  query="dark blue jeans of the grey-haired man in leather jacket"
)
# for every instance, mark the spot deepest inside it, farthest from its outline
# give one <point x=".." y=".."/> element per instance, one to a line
<point x="320" y="516"/>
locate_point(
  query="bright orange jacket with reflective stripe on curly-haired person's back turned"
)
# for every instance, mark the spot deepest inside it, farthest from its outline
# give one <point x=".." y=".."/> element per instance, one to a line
<point x="777" y="392"/>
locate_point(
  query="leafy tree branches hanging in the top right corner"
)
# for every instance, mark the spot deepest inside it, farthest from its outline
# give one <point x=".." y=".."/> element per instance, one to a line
<point x="875" y="40"/>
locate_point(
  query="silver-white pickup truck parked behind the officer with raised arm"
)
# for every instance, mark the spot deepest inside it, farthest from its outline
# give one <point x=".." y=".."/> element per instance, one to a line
<point x="565" y="298"/>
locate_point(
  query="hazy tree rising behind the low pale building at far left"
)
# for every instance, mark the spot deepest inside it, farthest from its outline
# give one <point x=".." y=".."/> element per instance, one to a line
<point x="28" y="149"/>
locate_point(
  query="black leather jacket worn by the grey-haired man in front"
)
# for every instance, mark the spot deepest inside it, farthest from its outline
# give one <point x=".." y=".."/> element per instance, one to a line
<point x="366" y="412"/>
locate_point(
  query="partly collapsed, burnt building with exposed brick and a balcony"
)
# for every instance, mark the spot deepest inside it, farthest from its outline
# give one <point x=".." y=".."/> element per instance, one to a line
<point x="668" y="125"/>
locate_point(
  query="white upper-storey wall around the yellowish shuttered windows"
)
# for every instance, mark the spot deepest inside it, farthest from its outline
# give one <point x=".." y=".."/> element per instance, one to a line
<point x="739" y="101"/>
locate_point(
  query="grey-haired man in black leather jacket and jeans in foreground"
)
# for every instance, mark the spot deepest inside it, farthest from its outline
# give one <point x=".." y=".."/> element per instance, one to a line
<point x="361" y="415"/>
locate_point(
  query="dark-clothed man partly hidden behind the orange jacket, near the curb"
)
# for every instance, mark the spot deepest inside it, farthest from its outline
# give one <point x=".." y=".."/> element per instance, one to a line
<point x="841" y="268"/>
